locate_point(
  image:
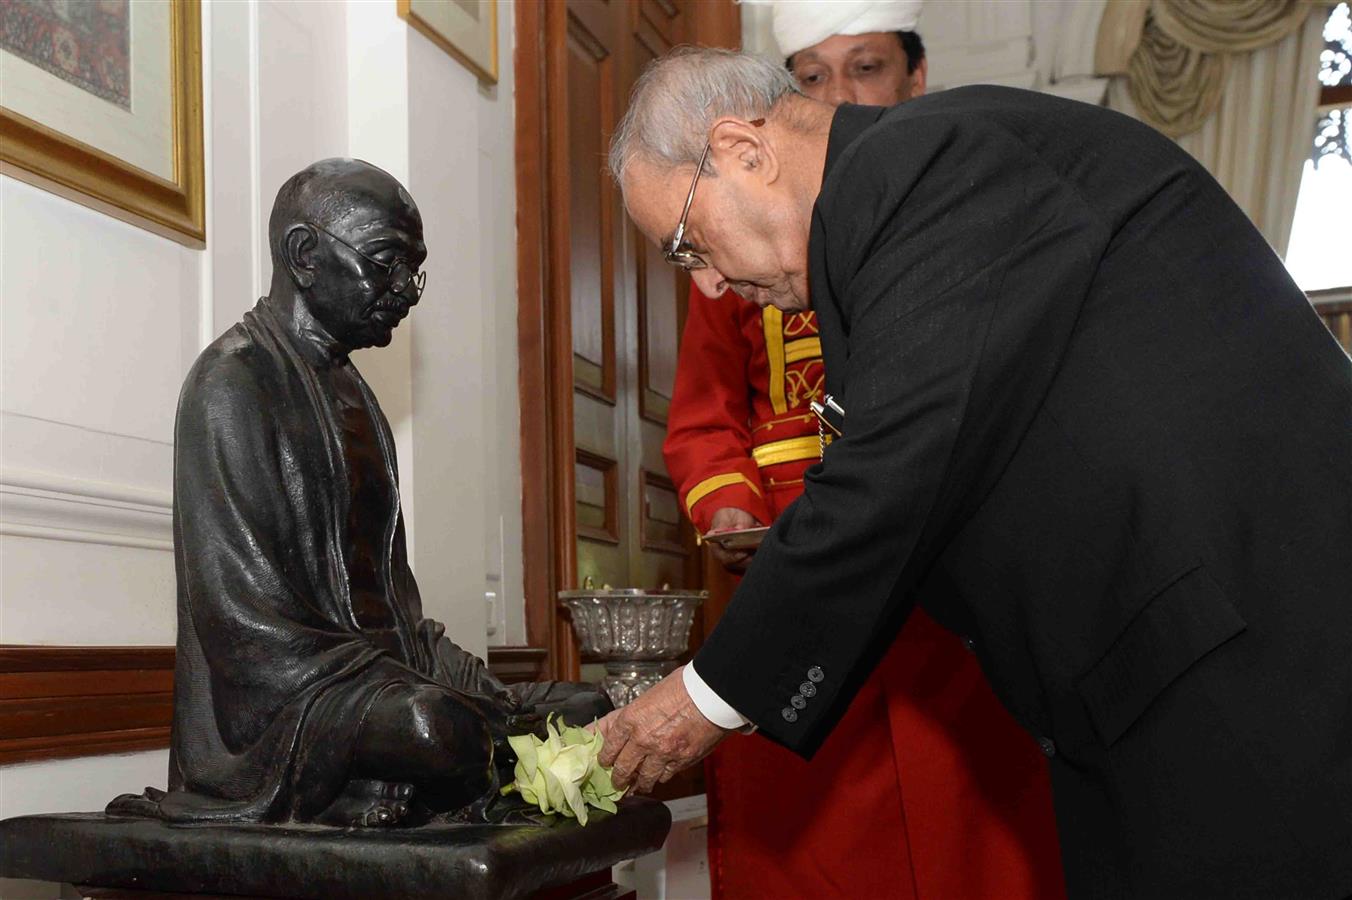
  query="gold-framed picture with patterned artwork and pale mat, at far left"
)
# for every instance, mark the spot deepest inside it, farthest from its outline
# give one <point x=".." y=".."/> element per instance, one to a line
<point x="101" y="102"/>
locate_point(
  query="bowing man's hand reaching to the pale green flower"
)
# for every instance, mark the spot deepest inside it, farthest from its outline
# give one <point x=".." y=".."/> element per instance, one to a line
<point x="656" y="736"/>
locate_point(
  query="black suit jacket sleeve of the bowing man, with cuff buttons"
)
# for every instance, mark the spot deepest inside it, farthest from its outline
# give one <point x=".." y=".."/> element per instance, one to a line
<point x="958" y="260"/>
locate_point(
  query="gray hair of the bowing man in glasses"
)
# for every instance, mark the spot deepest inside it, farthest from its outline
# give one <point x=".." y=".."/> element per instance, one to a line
<point x="679" y="98"/>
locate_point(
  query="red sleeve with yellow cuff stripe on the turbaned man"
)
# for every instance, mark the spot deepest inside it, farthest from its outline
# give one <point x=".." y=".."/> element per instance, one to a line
<point x="709" y="441"/>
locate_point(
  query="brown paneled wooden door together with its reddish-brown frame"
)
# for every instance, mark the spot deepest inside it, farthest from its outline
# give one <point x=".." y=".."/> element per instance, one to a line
<point x="601" y="313"/>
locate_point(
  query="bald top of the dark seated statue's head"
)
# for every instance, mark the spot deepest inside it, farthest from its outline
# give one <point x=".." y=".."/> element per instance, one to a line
<point x="340" y="195"/>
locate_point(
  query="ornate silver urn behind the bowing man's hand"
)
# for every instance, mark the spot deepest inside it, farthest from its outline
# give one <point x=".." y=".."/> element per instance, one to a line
<point x="637" y="634"/>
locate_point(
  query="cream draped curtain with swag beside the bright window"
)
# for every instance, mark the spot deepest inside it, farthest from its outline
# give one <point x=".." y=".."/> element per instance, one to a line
<point x="1234" y="82"/>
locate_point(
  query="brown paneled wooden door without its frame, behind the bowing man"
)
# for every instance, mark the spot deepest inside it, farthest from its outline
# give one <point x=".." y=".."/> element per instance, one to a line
<point x="625" y="314"/>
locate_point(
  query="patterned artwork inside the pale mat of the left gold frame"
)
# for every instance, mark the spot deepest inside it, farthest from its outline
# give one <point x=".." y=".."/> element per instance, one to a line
<point x="83" y="43"/>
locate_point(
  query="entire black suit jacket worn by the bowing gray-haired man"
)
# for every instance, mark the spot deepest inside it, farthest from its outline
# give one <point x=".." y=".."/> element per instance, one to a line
<point x="1092" y="422"/>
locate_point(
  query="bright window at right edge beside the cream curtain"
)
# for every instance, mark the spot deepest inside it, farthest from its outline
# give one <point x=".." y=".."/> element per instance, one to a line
<point x="1318" y="255"/>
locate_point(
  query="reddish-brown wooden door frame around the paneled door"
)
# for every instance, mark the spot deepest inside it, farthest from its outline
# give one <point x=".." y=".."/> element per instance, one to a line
<point x="544" y="326"/>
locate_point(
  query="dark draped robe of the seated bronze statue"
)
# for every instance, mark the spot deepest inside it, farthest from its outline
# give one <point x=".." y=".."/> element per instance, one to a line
<point x="278" y="666"/>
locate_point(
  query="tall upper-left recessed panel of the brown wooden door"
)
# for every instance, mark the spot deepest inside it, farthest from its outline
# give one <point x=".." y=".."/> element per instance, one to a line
<point x="591" y="87"/>
